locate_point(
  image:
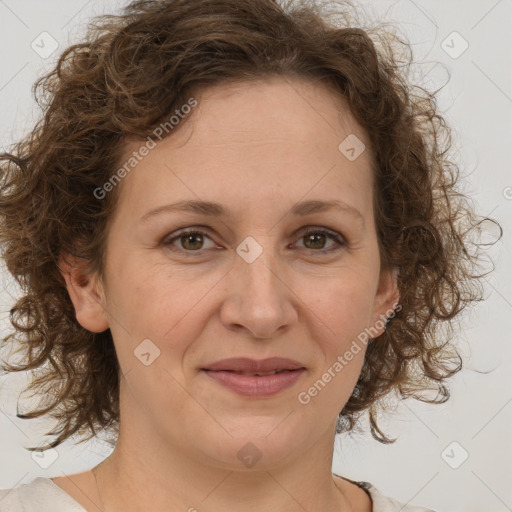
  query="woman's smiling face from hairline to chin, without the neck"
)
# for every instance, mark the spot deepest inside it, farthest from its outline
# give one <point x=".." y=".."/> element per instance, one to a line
<point x="270" y="276"/>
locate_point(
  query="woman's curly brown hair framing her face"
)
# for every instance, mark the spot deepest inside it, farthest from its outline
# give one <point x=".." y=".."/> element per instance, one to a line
<point x="128" y="74"/>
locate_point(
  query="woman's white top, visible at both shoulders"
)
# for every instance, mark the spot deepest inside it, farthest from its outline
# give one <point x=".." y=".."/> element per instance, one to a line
<point x="44" y="495"/>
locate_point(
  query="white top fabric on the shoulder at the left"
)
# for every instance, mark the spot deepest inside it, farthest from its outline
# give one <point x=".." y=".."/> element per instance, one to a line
<point x="39" y="495"/>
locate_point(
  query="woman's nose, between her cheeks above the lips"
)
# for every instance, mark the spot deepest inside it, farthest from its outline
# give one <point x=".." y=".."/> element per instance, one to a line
<point x="258" y="299"/>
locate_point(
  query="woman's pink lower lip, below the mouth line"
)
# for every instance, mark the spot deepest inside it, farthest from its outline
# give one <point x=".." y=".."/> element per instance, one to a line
<point x="254" y="385"/>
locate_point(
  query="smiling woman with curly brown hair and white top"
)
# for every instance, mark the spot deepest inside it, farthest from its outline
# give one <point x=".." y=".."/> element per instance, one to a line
<point x="237" y="233"/>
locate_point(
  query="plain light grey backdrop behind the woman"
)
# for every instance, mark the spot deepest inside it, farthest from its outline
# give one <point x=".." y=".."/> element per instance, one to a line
<point x="423" y="465"/>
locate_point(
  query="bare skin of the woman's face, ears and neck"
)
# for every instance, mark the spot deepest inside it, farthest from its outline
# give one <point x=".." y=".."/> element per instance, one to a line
<point x="257" y="148"/>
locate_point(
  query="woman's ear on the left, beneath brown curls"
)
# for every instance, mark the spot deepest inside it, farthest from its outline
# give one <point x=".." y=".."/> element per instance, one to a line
<point x="85" y="291"/>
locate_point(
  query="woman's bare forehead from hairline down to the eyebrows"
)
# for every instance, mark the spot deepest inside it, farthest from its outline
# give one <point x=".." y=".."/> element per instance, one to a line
<point x="286" y="135"/>
